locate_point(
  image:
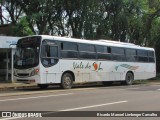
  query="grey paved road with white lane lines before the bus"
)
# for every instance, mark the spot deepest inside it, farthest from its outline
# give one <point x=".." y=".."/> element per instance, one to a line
<point x="100" y="98"/>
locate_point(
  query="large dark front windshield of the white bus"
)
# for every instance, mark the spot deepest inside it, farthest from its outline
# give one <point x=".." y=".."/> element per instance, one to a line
<point x="27" y="52"/>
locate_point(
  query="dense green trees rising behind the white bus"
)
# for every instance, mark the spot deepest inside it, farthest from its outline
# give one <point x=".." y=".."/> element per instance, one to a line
<point x="122" y="20"/>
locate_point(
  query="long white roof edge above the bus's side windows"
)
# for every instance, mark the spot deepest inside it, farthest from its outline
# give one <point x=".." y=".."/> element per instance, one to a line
<point x="96" y="42"/>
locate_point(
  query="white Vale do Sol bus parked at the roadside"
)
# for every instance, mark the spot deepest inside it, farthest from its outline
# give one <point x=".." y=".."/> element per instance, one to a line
<point x="46" y="60"/>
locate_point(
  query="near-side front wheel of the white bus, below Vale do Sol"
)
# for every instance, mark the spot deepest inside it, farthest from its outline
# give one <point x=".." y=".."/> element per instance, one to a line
<point x="67" y="80"/>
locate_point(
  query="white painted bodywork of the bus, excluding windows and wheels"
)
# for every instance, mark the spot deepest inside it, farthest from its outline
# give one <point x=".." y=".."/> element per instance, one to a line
<point x="92" y="70"/>
